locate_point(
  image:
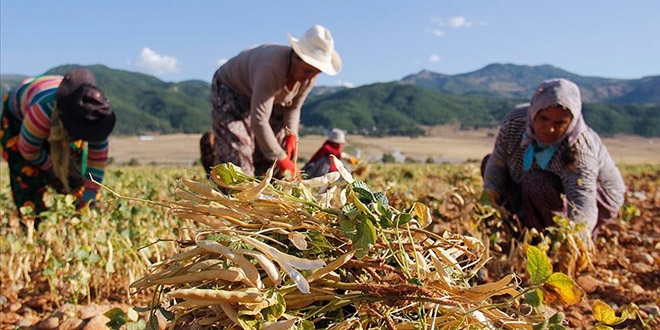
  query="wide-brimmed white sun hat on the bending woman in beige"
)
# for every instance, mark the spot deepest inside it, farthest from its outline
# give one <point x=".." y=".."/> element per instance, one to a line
<point x="317" y="48"/>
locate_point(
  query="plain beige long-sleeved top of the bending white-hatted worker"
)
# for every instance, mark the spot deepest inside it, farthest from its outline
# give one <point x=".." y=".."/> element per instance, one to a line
<point x="259" y="74"/>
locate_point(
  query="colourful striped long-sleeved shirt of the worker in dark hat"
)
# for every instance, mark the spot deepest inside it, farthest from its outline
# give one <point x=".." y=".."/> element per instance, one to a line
<point x="32" y="102"/>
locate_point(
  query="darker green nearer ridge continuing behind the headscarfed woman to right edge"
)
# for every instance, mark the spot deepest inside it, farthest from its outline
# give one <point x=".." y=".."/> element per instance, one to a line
<point x="404" y="109"/>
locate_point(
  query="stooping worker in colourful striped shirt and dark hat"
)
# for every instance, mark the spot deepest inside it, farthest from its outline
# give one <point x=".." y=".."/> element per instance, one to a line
<point x="54" y="132"/>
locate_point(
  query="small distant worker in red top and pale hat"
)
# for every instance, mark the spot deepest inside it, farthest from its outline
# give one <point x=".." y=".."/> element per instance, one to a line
<point x="320" y="164"/>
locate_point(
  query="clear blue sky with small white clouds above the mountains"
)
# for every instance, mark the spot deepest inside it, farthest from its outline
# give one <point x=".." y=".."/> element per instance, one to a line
<point x="379" y="41"/>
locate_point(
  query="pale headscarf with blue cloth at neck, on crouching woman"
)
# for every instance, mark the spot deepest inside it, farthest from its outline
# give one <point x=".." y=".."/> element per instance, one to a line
<point x="552" y="92"/>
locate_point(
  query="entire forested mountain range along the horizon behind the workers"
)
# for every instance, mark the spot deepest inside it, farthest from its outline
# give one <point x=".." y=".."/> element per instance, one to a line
<point x="145" y="104"/>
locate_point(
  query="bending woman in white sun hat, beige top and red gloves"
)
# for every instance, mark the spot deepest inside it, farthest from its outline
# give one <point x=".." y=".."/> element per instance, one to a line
<point x="256" y="99"/>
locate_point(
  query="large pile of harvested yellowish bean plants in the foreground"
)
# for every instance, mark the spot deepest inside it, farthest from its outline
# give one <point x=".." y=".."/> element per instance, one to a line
<point x="321" y="253"/>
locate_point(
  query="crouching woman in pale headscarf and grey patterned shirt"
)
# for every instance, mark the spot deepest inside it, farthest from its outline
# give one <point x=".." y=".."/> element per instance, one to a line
<point x="545" y="151"/>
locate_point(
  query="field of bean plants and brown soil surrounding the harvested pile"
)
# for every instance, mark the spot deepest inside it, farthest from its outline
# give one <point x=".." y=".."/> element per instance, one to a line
<point x="77" y="269"/>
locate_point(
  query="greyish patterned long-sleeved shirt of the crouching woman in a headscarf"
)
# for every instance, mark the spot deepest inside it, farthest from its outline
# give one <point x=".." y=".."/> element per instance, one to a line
<point x="594" y="166"/>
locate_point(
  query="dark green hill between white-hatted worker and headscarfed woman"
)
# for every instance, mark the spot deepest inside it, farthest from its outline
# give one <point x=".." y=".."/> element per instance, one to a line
<point x="399" y="109"/>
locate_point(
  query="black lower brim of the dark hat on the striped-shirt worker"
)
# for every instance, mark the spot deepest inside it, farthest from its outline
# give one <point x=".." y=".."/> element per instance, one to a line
<point x="94" y="131"/>
